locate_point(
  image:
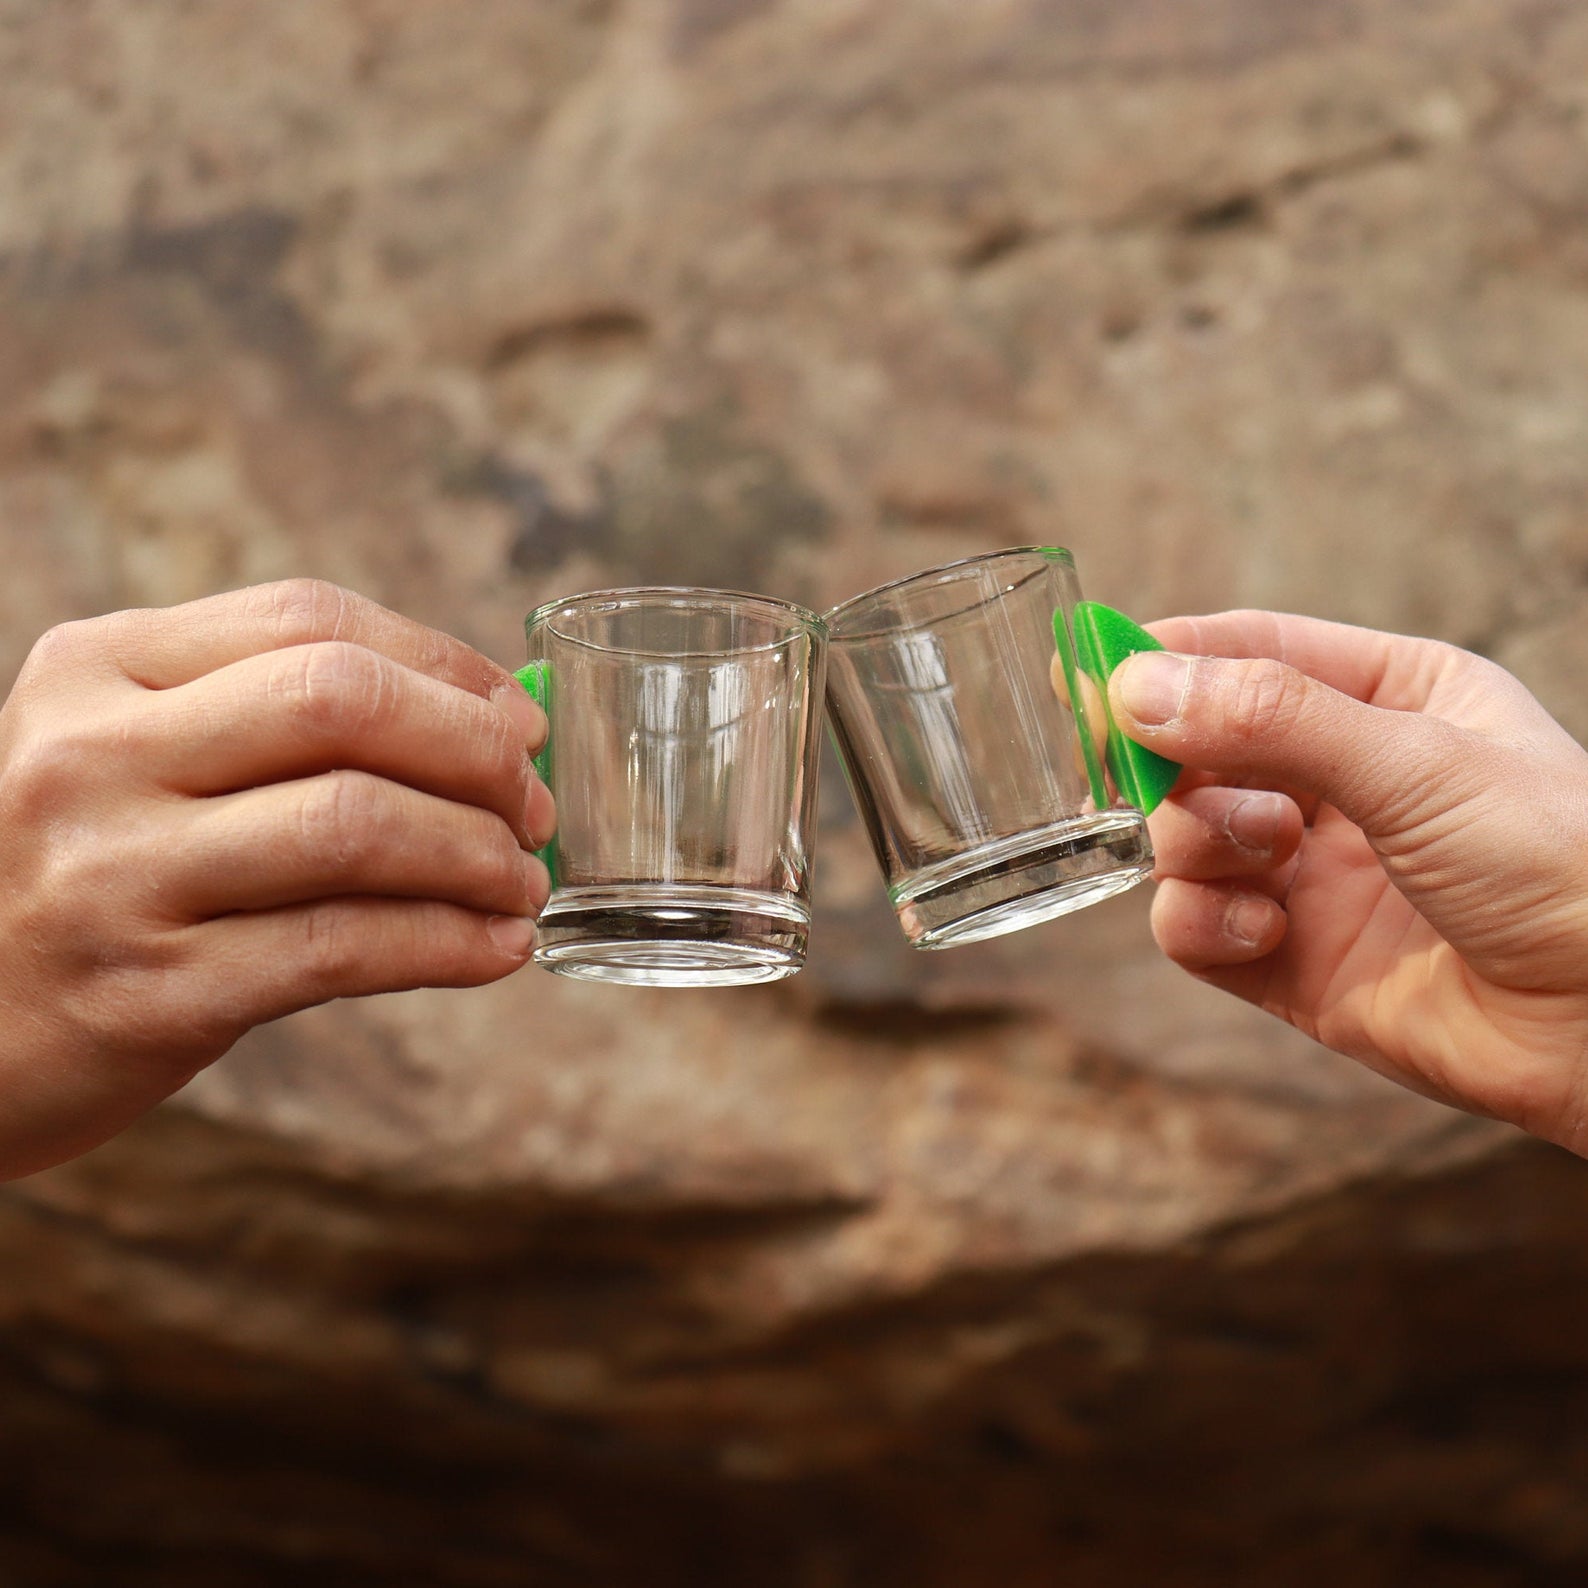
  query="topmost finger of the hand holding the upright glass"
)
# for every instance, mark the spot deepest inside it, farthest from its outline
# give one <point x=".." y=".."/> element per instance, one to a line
<point x="177" y="646"/>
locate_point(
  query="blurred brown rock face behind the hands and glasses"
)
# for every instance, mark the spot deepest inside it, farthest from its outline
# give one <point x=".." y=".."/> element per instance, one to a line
<point x="1023" y="1265"/>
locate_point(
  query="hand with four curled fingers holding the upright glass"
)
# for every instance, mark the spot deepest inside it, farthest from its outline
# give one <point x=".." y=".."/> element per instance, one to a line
<point x="228" y="811"/>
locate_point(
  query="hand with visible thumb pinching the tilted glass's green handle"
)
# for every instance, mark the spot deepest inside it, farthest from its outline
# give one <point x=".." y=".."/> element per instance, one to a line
<point x="1414" y="892"/>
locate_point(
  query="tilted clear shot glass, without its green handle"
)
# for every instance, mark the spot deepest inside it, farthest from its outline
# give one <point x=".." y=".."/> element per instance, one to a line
<point x="982" y="784"/>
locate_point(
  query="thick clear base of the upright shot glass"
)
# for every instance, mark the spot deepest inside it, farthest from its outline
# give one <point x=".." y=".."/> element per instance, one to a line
<point x="673" y="936"/>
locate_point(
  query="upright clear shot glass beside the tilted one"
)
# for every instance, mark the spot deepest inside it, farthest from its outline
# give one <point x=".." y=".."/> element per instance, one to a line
<point x="684" y="757"/>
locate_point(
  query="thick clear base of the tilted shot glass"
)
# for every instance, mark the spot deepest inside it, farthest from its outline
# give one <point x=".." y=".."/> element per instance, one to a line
<point x="1019" y="882"/>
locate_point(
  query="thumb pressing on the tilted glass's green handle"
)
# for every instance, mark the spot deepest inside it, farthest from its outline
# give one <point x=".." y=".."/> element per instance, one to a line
<point x="1266" y="723"/>
